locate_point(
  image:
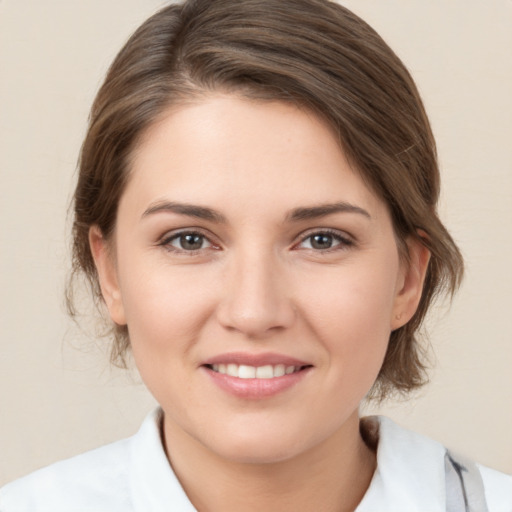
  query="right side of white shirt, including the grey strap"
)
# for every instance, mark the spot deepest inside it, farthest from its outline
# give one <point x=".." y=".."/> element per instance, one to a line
<point x="414" y="473"/>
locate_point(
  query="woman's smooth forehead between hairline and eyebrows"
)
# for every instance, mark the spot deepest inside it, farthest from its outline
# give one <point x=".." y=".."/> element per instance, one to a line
<point x="224" y="150"/>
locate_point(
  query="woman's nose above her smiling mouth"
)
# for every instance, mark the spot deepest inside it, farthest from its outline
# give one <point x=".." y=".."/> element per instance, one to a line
<point x="255" y="301"/>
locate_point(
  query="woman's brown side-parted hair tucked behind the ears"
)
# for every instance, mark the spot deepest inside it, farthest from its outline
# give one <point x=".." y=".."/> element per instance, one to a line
<point x="314" y="53"/>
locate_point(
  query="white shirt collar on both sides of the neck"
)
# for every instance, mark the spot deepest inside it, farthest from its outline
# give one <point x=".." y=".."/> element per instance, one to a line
<point x="409" y="475"/>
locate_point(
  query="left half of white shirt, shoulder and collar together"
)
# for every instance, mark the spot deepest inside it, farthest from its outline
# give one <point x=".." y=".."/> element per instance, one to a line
<point x="132" y="475"/>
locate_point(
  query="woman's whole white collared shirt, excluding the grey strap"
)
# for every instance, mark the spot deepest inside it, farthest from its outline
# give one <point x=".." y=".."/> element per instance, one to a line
<point x="134" y="475"/>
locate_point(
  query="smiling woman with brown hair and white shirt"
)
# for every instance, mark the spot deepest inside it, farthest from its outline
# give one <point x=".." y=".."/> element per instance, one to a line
<point x="256" y="209"/>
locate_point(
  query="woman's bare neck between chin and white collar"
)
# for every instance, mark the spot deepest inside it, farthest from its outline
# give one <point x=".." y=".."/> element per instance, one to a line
<point x="332" y="477"/>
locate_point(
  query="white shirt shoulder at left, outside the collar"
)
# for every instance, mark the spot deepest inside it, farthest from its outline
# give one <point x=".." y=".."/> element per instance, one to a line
<point x="96" y="480"/>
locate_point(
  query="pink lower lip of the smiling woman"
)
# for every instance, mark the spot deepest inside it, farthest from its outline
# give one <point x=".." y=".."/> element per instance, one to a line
<point x="256" y="389"/>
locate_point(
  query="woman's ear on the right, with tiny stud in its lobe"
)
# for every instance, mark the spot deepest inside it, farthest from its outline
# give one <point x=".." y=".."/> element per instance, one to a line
<point x="410" y="284"/>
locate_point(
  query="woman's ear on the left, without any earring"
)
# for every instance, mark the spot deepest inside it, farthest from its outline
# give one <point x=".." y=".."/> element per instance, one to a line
<point x="107" y="274"/>
